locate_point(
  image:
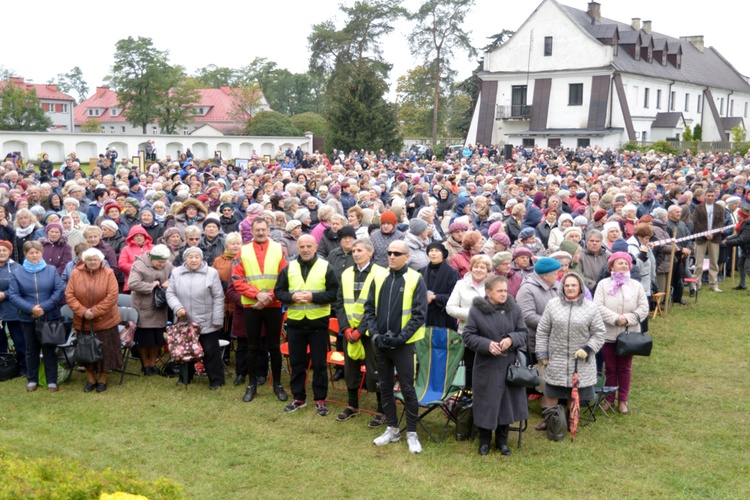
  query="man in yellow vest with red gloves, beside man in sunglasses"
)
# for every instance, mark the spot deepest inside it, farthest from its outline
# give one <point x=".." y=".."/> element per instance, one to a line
<point x="356" y="282"/>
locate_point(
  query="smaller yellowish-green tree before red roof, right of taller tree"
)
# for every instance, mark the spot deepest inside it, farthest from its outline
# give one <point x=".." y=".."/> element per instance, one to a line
<point x="175" y="98"/>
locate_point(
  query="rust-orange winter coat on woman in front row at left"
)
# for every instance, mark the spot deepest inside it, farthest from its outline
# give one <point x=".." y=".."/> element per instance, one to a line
<point x="96" y="290"/>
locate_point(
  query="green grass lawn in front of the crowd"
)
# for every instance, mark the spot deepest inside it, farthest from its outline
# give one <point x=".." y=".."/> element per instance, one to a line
<point x="686" y="434"/>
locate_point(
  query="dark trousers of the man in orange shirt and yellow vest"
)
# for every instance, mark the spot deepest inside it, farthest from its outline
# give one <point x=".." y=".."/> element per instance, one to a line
<point x="255" y="320"/>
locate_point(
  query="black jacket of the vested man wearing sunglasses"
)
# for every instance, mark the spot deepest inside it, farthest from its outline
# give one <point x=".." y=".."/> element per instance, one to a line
<point x="387" y="317"/>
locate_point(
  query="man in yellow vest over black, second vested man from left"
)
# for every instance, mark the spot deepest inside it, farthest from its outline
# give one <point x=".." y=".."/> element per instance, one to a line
<point x="308" y="287"/>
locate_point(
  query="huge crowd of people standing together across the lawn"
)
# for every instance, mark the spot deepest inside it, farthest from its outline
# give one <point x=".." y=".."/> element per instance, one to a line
<point x="553" y="252"/>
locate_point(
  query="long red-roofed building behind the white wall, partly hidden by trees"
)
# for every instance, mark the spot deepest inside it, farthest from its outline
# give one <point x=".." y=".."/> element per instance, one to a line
<point x="214" y="113"/>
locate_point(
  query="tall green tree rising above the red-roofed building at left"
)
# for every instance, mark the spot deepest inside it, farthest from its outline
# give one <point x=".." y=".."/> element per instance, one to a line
<point x="138" y="76"/>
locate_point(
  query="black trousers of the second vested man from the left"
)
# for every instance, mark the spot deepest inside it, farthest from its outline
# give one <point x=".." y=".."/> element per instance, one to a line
<point x="318" y="341"/>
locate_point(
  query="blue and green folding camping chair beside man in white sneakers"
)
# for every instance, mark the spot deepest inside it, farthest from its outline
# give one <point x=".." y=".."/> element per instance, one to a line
<point x="439" y="354"/>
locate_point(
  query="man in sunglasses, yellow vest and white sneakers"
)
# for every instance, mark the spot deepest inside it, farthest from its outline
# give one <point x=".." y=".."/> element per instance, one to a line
<point x="395" y="314"/>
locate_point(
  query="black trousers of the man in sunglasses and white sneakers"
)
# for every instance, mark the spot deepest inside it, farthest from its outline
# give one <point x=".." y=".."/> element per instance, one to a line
<point x="403" y="359"/>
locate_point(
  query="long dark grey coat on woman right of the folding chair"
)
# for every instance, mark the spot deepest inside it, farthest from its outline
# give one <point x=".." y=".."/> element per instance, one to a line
<point x="495" y="403"/>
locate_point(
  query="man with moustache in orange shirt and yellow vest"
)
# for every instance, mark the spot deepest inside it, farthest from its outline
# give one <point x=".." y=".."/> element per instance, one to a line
<point x="254" y="273"/>
